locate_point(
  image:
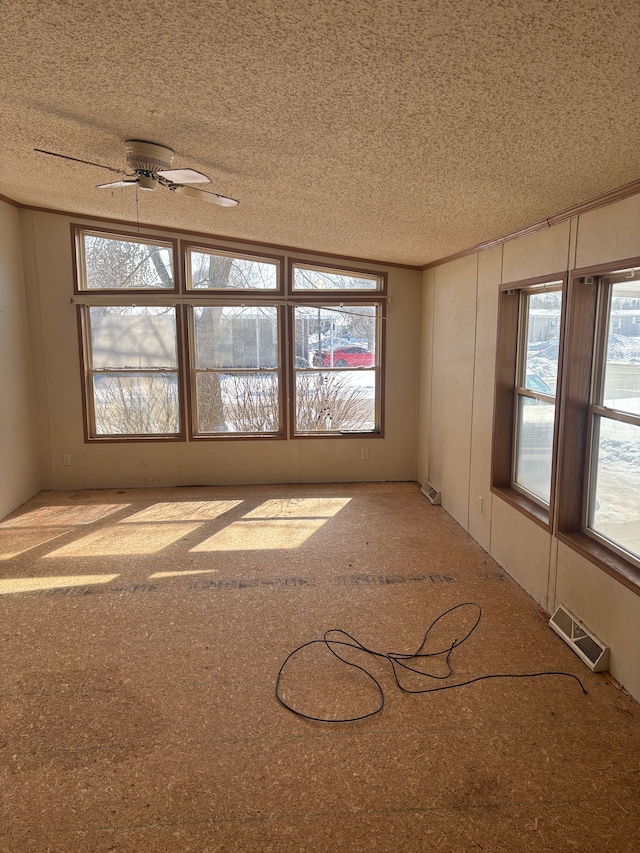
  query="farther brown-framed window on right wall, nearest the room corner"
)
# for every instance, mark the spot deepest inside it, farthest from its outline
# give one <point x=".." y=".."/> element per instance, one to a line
<point x="523" y="469"/>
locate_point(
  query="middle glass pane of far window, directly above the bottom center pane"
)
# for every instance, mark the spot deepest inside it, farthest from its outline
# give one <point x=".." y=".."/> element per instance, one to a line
<point x="236" y="337"/>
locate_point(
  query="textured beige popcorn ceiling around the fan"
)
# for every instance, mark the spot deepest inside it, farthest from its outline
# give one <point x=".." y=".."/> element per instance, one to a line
<point x="392" y="129"/>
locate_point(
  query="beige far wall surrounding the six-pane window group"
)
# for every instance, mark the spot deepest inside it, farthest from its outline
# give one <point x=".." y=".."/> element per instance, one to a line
<point x="50" y="285"/>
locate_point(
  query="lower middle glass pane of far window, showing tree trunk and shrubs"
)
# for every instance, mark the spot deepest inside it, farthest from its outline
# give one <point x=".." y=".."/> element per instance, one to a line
<point x="237" y="402"/>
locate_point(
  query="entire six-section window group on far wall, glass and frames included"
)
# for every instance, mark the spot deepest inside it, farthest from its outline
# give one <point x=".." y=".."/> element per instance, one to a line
<point x="223" y="343"/>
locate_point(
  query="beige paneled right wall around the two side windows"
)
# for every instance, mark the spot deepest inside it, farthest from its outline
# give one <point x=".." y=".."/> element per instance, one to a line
<point x="456" y="403"/>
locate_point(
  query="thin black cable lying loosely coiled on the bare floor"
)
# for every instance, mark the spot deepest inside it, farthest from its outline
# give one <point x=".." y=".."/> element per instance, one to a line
<point x="334" y="639"/>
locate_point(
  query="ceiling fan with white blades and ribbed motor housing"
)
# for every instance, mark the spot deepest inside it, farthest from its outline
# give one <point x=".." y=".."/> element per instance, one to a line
<point x="151" y="166"/>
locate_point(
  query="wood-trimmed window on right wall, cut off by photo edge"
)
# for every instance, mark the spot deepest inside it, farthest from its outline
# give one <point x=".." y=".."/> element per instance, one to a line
<point x="599" y="447"/>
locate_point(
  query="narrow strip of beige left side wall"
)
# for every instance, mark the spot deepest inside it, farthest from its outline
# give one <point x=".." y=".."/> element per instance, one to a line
<point x="19" y="477"/>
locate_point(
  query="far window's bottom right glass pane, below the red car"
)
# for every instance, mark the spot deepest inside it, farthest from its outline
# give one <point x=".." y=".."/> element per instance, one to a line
<point x="335" y="400"/>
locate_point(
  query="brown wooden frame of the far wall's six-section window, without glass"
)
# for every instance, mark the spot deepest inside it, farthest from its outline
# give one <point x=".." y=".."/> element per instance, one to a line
<point x="183" y="299"/>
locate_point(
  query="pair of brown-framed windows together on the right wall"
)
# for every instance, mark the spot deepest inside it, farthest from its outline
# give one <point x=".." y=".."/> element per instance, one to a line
<point x="592" y="374"/>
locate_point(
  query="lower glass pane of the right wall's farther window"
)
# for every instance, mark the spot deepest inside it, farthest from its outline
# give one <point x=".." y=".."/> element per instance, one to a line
<point x="534" y="446"/>
